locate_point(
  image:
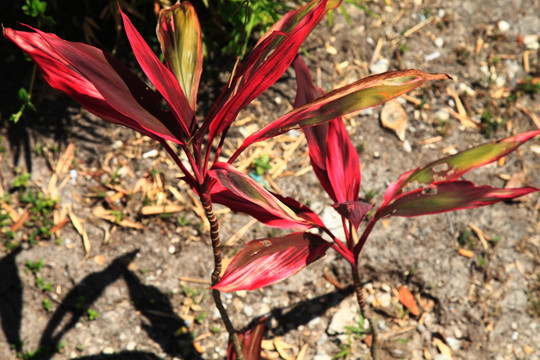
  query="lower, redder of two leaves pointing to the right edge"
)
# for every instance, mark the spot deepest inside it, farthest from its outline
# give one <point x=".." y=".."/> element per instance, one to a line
<point x="448" y="196"/>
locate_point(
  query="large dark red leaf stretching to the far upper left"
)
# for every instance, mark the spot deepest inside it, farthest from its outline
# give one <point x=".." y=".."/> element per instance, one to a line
<point x="98" y="82"/>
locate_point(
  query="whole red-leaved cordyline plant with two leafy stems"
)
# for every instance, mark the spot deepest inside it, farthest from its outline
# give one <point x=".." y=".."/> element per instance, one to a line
<point x="108" y="89"/>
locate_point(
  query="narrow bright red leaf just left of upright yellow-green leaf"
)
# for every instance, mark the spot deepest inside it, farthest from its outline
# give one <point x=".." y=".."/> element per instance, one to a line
<point x="161" y="77"/>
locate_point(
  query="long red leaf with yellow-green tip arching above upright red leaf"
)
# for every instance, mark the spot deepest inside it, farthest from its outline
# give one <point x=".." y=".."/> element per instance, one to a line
<point x="362" y="94"/>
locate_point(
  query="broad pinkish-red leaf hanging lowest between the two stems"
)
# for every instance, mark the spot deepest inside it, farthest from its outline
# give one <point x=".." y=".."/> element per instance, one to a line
<point x="264" y="262"/>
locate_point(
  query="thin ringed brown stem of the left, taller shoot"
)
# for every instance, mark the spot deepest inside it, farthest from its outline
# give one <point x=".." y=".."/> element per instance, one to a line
<point x="216" y="246"/>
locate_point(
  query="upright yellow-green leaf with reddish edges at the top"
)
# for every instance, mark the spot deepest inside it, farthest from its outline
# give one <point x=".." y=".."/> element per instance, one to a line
<point x="179" y="34"/>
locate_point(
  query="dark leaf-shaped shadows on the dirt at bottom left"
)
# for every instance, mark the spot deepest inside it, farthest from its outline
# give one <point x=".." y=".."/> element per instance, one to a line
<point x="162" y="324"/>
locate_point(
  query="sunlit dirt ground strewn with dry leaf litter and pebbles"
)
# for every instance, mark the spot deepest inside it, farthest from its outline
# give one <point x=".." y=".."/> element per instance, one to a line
<point x="116" y="281"/>
